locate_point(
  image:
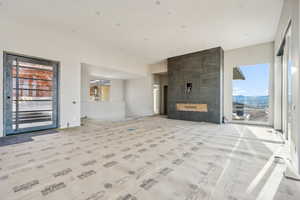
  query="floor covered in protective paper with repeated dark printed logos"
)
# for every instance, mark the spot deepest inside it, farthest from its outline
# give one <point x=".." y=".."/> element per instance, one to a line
<point x="146" y="159"/>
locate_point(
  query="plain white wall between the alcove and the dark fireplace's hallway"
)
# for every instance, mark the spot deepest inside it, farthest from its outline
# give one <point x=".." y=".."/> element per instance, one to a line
<point x="139" y="96"/>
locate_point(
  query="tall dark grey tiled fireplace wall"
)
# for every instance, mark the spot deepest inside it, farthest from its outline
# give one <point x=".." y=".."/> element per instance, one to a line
<point x="204" y="71"/>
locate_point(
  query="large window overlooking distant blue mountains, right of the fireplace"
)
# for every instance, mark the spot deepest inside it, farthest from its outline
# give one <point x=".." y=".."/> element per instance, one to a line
<point x="251" y="93"/>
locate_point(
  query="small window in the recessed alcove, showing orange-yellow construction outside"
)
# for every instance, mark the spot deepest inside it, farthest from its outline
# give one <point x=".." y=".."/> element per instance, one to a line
<point x="100" y="90"/>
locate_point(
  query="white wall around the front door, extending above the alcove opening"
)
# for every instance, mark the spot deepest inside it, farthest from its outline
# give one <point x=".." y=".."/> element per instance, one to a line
<point x="70" y="51"/>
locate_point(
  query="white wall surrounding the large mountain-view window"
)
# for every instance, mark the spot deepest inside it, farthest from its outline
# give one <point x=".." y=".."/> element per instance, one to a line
<point x="252" y="55"/>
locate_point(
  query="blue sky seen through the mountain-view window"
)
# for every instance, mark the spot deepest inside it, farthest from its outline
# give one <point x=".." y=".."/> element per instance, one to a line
<point x="256" y="83"/>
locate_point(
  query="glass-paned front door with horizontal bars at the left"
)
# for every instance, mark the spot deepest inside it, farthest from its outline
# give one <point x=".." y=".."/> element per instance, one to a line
<point x="30" y="94"/>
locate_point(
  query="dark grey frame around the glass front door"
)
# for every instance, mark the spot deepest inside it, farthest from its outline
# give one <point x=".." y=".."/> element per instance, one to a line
<point x="57" y="63"/>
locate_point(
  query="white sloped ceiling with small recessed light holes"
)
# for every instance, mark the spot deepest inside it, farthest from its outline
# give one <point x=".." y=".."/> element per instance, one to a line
<point x="153" y="30"/>
